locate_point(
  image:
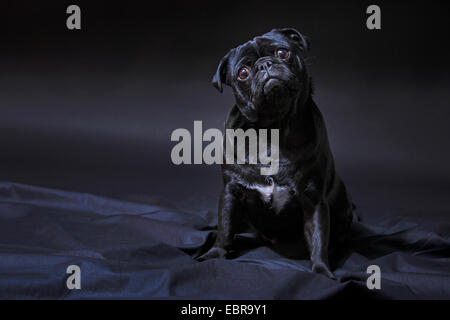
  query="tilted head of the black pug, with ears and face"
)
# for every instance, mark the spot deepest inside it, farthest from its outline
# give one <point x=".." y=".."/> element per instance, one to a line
<point x="267" y="75"/>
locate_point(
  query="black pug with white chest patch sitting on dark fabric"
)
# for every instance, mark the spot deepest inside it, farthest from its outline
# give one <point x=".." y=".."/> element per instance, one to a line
<point x="306" y="199"/>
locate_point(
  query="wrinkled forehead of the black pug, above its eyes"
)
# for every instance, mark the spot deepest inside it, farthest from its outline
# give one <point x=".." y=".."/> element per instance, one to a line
<point x="259" y="47"/>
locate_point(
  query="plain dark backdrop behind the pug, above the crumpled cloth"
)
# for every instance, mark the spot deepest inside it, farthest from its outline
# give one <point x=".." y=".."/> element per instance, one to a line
<point x="92" y="110"/>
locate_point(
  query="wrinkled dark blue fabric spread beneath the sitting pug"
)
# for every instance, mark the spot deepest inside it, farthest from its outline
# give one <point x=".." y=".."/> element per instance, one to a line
<point x="135" y="250"/>
